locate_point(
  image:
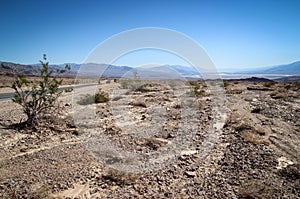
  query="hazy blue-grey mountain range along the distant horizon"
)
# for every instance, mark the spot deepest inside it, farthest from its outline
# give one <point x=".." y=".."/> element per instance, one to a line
<point x="167" y="71"/>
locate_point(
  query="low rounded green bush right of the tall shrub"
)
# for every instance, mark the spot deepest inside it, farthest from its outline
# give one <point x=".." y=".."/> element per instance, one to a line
<point x="99" y="97"/>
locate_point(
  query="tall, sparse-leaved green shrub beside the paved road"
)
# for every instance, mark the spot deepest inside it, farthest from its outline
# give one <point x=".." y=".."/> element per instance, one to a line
<point x="38" y="97"/>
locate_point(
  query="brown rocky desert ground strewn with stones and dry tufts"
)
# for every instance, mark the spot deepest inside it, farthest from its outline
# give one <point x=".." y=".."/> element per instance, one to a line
<point x="159" y="140"/>
